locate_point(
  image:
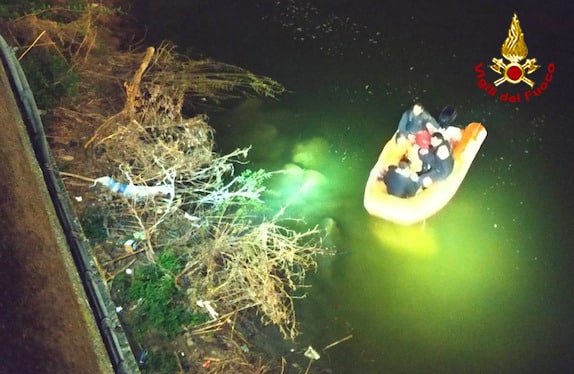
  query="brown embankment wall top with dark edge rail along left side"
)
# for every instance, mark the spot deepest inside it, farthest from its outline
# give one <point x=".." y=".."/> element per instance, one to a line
<point x="55" y="312"/>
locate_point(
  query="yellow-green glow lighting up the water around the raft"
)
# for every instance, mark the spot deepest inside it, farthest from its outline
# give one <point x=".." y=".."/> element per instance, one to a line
<point x="460" y="292"/>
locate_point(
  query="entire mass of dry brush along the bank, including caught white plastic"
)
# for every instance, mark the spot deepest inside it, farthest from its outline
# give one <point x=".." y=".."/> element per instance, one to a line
<point x="233" y="253"/>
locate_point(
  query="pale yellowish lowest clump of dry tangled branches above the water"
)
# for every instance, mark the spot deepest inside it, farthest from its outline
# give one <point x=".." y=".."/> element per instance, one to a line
<point x="259" y="266"/>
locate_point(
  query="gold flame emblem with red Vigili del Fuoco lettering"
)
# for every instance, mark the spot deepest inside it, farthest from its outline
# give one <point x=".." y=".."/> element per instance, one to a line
<point x="514" y="68"/>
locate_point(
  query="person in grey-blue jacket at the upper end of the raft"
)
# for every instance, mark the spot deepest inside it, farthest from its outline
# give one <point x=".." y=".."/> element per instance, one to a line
<point x="416" y="125"/>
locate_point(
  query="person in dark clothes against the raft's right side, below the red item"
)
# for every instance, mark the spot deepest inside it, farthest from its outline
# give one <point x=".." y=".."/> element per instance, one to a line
<point x="437" y="160"/>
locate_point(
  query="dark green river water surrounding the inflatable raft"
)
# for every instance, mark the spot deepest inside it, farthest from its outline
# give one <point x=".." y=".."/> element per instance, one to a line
<point x="485" y="286"/>
